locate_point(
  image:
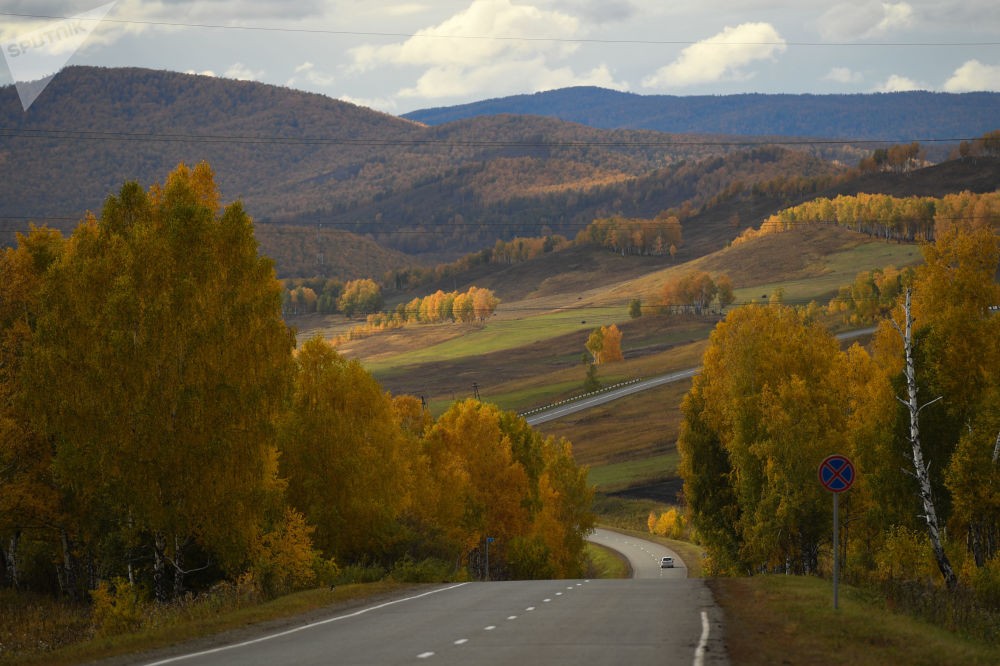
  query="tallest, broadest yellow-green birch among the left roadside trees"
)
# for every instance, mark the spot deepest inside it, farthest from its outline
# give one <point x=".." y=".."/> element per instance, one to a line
<point x="159" y="363"/>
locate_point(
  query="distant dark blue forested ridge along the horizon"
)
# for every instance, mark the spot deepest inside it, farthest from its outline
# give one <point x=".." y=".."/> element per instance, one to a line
<point x="902" y="116"/>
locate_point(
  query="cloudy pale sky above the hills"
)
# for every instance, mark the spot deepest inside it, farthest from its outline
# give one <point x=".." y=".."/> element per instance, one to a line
<point x="411" y="54"/>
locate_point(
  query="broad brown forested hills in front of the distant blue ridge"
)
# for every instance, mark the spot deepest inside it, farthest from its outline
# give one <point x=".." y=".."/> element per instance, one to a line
<point x="305" y="159"/>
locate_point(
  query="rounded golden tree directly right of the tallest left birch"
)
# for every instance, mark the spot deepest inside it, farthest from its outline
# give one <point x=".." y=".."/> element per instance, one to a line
<point x="342" y="453"/>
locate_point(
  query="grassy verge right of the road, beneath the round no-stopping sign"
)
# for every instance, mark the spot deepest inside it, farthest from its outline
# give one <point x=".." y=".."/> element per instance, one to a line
<point x="791" y="620"/>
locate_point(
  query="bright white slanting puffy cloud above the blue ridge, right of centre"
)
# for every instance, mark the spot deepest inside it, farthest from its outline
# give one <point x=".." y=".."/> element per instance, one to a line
<point x="720" y="57"/>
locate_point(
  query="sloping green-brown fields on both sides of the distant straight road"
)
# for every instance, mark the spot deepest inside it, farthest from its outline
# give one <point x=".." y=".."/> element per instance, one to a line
<point x="529" y="354"/>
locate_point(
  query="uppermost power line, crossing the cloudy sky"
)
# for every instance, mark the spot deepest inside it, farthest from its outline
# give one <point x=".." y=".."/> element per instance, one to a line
<point x="501" y="38"/>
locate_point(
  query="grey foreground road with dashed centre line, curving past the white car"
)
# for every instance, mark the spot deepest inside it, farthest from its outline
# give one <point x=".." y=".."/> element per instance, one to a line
<point x="657" y="617"/>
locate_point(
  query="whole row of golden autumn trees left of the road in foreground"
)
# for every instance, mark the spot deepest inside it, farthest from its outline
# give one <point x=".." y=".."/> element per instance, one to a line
<point x="158" y="427"/>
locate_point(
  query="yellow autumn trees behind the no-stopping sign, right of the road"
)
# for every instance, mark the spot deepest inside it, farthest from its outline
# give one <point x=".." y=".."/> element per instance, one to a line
<point x="777" y="395"/>
